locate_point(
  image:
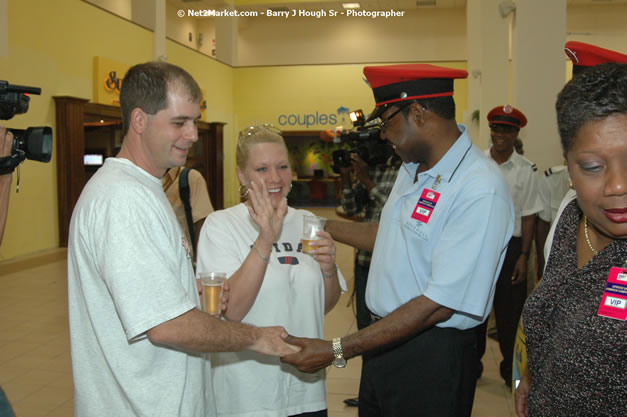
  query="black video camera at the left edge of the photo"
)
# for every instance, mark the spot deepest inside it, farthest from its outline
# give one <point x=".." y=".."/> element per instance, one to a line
<point x="34" y="143"/>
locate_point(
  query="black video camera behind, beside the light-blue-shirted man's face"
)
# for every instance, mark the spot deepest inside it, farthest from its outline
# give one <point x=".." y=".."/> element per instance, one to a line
<point x="366" y="142"/>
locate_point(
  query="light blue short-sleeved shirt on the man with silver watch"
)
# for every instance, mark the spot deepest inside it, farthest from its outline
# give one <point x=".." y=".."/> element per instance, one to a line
<point x="454" y="259"/>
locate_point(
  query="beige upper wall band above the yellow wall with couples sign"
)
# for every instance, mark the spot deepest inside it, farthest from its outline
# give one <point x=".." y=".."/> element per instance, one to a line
<point x="421" y="35"/>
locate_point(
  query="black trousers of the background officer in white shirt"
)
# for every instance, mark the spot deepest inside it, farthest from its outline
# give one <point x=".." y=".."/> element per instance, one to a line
<point x="508" y="304"/>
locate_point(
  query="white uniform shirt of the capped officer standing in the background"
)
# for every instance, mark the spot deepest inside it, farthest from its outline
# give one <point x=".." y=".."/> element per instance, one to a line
<point x="522" y="181"/>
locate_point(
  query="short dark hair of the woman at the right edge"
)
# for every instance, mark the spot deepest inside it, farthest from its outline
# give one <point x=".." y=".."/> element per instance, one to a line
<point x="594" y="94"/>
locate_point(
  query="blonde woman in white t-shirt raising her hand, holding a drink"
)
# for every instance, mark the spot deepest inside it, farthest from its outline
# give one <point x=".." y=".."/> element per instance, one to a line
<point x="257" y="243"/>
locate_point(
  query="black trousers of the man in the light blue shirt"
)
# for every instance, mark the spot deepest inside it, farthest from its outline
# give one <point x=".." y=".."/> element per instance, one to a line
<point x="431" y="375"/>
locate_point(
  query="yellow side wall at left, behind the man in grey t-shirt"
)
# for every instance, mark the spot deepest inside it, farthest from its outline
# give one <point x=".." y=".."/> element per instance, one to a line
<point x="52" y="45"/>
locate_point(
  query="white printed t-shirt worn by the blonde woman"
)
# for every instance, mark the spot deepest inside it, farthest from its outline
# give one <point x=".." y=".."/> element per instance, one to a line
<point x="291" y="295"/>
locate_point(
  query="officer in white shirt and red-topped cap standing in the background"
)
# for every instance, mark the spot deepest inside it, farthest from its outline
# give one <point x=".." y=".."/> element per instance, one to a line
<point x="520" y="174"/>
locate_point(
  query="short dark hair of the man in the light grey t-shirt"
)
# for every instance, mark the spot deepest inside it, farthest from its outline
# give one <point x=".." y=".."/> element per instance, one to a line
<point x="146" y="86"/>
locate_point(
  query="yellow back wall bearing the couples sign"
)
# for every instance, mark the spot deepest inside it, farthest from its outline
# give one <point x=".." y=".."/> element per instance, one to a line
<point x="267" y="94"/>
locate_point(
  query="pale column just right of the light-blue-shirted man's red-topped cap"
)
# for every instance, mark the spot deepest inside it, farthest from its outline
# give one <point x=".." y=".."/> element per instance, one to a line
<point x="488" y="62"/>
